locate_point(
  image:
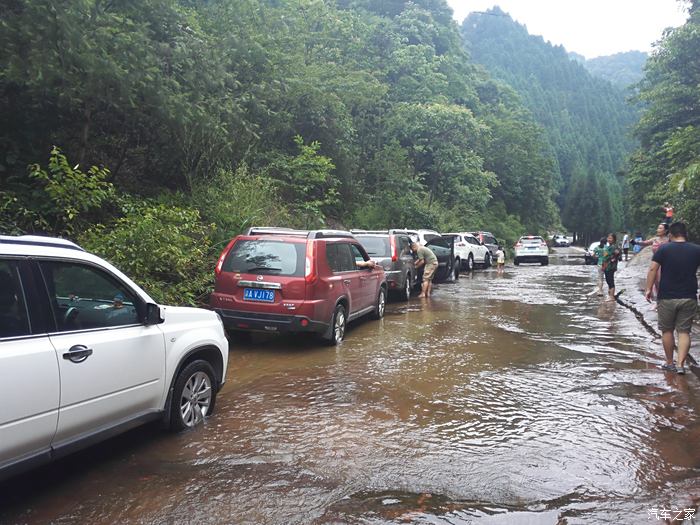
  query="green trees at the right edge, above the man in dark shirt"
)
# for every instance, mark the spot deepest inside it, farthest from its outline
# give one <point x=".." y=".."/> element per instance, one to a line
<point x="666" y="166"/>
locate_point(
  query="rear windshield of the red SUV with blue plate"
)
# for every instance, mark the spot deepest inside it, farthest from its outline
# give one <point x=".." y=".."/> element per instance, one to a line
<point x="266" y="257"/>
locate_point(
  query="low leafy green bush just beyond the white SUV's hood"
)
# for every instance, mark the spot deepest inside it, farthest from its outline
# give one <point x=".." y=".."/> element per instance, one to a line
<point x="166" y="249"/>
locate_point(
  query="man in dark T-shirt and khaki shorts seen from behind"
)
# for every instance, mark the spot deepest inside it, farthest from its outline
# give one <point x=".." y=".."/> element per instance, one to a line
<point x="677" y="299"/>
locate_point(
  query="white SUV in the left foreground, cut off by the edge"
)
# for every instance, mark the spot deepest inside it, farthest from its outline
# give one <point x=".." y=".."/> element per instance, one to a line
<point x="85" y="354"/>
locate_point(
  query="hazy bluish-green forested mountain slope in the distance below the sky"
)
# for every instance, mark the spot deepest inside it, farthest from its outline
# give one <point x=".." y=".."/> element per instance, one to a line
<point x="587" y="120"/>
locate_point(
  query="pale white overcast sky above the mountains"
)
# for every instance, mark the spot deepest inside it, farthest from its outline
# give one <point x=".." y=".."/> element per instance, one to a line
<point x="590" y="28"/>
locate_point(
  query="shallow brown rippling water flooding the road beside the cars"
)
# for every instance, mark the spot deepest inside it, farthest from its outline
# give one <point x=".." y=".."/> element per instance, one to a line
<point x="503" y="399"/>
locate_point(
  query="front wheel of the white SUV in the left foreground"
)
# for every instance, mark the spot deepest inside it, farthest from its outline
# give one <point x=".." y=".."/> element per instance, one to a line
<point x="194" y="395"/>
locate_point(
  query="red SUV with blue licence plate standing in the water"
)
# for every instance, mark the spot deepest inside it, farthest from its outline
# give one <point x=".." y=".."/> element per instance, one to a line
<point x="282" y="280"/>
